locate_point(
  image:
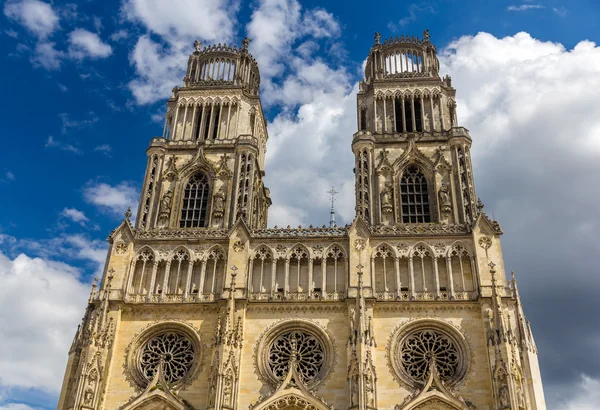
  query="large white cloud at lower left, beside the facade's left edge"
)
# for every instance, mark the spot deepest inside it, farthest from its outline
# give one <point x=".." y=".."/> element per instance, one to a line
<point x="37" y="330"/>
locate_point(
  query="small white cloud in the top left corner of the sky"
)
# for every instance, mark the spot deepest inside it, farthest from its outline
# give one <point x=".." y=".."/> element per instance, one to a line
<point x="36" y="16"/>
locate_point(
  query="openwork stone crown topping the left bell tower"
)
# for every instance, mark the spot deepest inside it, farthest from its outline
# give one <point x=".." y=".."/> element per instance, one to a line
<point x="223" y="65"/>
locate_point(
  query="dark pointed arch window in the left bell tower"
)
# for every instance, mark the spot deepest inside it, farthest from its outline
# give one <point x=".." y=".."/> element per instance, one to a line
<point x="194" y="209"/>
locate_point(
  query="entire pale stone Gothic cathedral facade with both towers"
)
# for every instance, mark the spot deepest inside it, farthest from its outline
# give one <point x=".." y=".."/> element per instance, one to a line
<point x="201" y="306"/>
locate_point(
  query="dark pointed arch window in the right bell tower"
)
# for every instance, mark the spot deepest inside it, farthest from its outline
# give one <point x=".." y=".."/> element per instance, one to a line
<point x="414" y="196"/>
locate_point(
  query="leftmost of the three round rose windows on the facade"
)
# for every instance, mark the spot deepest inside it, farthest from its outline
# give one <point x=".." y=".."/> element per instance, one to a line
<point x="176" y="351"/>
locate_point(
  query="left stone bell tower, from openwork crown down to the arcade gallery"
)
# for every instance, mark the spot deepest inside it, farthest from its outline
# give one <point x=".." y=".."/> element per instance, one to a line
<point x="207" y="169"/>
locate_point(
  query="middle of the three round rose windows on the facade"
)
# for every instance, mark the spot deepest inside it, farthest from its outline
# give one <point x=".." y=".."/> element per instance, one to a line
<point x="308" y="351"/>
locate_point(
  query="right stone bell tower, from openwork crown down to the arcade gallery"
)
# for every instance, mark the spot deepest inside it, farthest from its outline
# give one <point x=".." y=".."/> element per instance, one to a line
<point x="412" y="158"/>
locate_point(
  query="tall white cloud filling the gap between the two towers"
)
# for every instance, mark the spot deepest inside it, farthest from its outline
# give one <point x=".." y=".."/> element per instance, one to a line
<point x="316" y="103"/>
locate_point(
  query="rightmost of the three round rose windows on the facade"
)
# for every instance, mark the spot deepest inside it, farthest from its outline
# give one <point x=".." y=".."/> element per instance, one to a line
<point x="420" y="348"/>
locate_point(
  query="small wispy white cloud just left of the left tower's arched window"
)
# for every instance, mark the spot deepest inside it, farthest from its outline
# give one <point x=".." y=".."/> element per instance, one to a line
<point x="113" y="198"/>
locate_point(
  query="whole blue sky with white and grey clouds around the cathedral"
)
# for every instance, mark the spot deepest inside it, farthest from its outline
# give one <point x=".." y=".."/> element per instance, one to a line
<point x="85" y="85"/>
